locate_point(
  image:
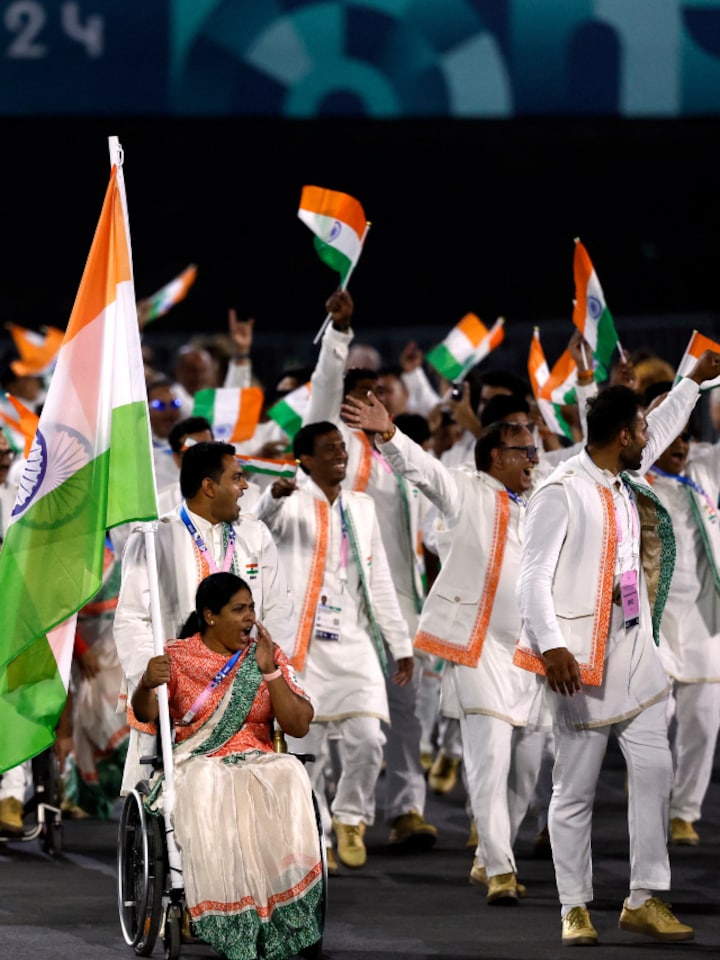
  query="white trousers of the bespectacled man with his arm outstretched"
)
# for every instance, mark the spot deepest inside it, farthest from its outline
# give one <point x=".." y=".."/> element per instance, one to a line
<point x="501" y="766"/>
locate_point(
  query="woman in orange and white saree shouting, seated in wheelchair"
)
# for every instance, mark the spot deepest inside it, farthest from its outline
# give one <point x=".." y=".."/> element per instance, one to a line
<point x="243" y="818"/>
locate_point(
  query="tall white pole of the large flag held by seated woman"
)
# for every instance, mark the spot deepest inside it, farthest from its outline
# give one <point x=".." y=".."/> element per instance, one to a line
<point x="148" y="528"/>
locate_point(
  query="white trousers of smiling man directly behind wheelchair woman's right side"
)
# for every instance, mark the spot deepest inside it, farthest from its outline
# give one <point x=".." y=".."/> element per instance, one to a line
<point x="360" y="751"/>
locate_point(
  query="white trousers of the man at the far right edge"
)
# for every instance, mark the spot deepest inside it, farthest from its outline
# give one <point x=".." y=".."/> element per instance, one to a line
<point x="697" y="720"/>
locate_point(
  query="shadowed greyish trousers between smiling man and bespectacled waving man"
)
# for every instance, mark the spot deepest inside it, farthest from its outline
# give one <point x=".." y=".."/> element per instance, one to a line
<point x="405" y="785"/>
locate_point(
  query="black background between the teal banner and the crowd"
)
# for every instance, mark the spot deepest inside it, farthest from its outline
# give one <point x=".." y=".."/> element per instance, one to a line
<point x="467" y="216"/>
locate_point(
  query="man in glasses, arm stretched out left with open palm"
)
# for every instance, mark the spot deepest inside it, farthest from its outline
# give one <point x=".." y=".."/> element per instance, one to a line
<point x="471" y="620"/>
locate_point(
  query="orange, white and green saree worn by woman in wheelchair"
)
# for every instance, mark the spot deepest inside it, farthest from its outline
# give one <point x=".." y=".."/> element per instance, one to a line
<point x="244" y="819"/>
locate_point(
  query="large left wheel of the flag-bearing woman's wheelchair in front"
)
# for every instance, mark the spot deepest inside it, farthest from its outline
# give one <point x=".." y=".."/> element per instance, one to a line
<point x="141" y="873"/>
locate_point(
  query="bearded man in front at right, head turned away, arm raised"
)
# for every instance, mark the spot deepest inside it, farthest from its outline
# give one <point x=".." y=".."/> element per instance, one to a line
<point x="591" y="592"/>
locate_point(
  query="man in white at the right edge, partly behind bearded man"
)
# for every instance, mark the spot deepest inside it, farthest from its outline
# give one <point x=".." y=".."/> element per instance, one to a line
<point x="685" y="478"/>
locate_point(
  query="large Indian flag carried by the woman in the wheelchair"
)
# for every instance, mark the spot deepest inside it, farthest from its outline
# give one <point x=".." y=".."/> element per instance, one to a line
<point x="89" y="469"/>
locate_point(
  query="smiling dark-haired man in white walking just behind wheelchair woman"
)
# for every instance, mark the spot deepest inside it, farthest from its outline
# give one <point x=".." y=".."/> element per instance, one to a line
<point x="329" y="541"/>
